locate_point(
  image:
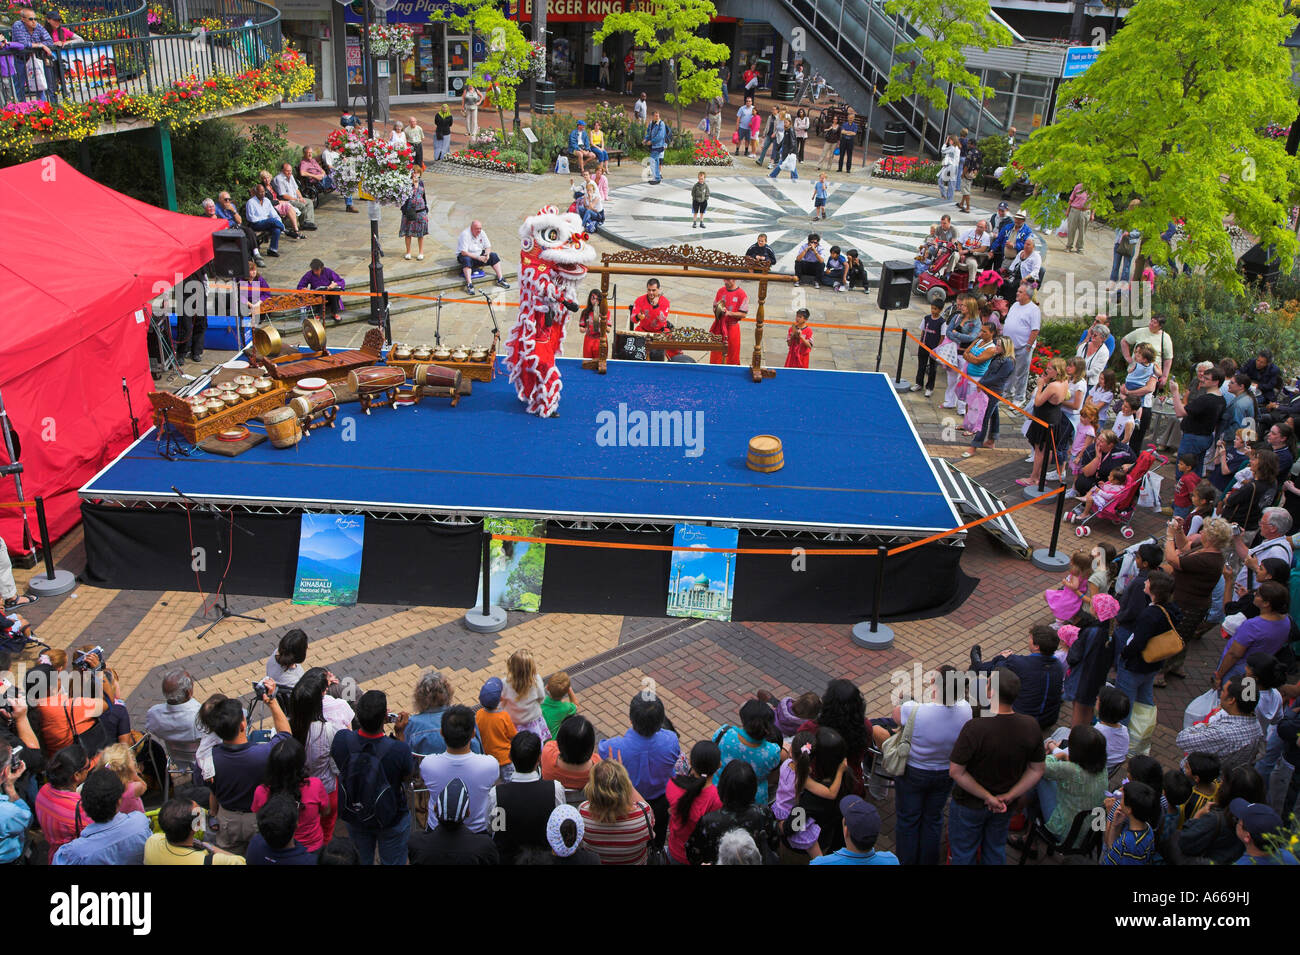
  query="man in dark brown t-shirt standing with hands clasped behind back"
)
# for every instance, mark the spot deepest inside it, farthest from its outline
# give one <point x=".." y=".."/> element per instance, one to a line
<point x="995" y="761"/>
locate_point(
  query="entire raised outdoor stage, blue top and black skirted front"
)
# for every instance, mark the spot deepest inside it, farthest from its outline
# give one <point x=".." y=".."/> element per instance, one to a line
<point x="856" y="476"/>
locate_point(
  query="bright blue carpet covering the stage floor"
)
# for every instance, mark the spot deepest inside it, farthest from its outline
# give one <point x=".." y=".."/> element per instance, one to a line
<point x="852" y="458"/>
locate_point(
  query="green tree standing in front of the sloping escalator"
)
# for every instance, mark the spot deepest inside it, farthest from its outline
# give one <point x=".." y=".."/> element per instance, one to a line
<point x="933" y="67"/>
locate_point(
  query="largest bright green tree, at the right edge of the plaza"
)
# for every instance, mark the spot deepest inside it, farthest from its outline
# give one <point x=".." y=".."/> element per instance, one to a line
<point x="1173" y="114"/>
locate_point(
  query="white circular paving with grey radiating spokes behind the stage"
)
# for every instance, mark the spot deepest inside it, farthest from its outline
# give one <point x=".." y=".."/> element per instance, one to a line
<point x="882" y="224"/>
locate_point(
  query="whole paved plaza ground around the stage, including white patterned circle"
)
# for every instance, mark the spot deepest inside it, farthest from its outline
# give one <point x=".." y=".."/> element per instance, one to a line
<point x="704" y="670"/>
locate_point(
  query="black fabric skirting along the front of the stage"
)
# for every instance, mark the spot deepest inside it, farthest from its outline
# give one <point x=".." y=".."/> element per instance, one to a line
<point x="421" y="563"/>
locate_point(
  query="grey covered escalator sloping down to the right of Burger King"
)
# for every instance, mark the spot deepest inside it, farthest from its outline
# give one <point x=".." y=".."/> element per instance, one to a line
<point x="855" y="45"/>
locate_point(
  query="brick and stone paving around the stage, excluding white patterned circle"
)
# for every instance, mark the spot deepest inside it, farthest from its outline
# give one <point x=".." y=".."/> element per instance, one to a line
<point x="703" y="670"/>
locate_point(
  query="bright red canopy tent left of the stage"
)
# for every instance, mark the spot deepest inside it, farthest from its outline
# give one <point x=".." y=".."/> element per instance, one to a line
<point x="81" y="266"/>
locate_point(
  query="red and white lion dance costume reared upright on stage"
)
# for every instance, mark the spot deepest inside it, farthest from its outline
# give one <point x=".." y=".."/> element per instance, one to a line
<point x="554" y="255"/>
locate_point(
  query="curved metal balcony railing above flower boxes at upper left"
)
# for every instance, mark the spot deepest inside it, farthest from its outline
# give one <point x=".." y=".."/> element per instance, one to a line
<point x="144" y="64"/>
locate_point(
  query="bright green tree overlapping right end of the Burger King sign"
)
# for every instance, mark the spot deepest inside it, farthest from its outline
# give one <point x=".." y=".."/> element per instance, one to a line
<point x="670" y="33"/>
